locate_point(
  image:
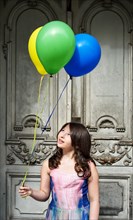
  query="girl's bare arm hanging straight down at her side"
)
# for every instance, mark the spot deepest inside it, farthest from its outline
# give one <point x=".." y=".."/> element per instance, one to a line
<point x="93" y="188"/>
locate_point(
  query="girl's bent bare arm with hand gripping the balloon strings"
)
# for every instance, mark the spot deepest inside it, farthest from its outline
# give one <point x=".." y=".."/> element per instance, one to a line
<point x="44" y="192"/>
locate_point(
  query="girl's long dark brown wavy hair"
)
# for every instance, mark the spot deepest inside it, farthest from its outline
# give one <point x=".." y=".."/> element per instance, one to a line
<point x="81" y="142"/>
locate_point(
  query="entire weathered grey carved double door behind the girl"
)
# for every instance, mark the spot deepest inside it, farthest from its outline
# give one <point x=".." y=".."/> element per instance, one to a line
<point x="102" y="100"/>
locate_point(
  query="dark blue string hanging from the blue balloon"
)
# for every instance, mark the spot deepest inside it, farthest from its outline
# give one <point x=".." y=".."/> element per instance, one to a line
<point x="44" y="128"/>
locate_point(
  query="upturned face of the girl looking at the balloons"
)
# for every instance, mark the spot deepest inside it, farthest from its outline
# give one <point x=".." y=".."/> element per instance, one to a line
<point x="64" y="139"/>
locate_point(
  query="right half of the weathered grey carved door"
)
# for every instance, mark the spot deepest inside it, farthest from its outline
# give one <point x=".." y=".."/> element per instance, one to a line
<point x="106" y="102"/>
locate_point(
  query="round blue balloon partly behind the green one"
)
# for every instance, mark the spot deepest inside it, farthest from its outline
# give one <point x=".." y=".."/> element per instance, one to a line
<point x="86" y="56"/>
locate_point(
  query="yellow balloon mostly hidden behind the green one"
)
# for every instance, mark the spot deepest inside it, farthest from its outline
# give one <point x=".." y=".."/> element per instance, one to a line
<point x="33" y="52"/>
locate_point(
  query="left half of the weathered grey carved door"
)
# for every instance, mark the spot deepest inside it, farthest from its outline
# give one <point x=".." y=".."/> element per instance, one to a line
<point x="24" y="104"/>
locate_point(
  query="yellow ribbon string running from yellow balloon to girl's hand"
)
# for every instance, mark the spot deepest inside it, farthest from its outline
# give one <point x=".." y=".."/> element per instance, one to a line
<point x="35" y="128"/>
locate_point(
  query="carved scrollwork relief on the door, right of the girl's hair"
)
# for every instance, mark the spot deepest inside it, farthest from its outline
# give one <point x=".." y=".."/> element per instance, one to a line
<point x="107" y="155"/>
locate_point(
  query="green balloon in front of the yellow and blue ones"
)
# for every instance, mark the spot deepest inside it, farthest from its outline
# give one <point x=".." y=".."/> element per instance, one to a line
<point x="55" y="45"/>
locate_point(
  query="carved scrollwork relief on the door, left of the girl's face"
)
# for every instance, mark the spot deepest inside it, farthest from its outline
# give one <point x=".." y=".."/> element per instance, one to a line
<point x="25" y="154"/>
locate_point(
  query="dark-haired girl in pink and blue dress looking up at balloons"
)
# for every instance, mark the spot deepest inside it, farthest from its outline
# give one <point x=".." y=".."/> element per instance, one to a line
<point x="71" y="175"/>
